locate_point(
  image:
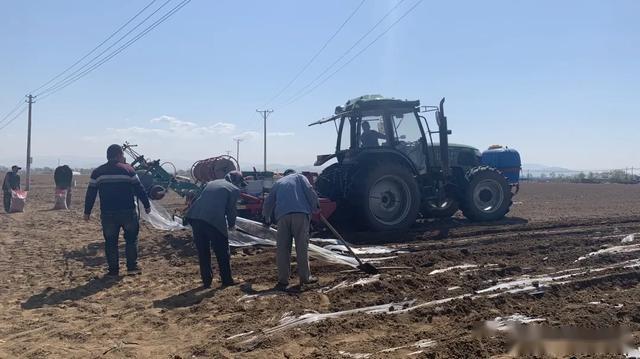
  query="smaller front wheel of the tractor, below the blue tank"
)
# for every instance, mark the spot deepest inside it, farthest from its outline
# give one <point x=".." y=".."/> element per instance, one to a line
<point x="488" y="195"/>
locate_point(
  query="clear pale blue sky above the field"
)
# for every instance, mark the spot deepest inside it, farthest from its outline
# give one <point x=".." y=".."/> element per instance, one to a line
<point x="558" y="80"/>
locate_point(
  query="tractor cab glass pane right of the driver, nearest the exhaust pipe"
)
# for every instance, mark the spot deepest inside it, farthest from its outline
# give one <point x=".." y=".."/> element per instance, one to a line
<point x="408" y="137"/>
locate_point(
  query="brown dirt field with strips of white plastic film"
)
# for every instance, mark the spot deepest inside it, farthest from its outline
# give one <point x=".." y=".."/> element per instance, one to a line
<point x="426" y="303"/>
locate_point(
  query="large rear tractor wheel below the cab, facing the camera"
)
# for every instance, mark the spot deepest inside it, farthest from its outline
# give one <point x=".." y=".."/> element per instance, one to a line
<point x="388" y="198"/>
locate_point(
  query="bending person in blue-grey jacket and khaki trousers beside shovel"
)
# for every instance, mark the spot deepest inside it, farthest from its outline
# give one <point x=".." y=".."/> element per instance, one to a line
<point x="291" y="201"/>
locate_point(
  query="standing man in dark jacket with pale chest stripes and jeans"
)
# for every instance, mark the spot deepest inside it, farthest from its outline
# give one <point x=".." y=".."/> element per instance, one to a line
<point x="117" y="184"/>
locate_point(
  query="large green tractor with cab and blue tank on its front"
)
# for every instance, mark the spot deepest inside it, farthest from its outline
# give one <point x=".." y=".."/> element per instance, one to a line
<point x="389" y="171"/>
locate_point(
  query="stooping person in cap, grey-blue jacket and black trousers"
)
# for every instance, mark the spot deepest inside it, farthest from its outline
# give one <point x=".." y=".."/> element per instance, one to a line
<point x="211" y="215"/>
